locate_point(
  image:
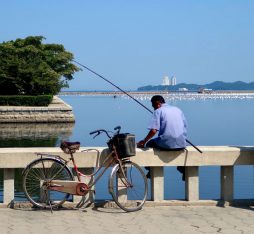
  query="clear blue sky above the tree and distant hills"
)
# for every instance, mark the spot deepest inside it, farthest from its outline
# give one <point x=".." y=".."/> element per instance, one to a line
<point x="137" y="42"/>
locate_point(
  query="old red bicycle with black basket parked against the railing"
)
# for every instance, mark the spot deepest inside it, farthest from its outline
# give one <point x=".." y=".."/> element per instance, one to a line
<point x="48" y="181"/>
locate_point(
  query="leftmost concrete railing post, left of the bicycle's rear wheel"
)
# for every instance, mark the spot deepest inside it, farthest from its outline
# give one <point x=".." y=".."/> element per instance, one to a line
<point x="8" y="185"/>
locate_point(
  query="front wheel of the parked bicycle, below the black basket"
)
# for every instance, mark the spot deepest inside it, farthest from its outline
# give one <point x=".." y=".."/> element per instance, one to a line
<point x="128" y="186"/>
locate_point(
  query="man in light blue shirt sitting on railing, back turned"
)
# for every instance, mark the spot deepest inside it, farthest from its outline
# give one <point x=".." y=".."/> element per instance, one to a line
<point x="170" y="123"/>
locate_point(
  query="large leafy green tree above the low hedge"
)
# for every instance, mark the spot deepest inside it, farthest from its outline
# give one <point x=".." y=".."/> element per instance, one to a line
<point x="29" y="67"/>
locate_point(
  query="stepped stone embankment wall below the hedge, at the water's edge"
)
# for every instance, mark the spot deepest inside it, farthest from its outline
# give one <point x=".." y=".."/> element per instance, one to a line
<point x="57" y="112"/>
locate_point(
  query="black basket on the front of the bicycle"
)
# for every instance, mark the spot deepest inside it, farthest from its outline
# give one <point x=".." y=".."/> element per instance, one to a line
<point x="125" y="145"/>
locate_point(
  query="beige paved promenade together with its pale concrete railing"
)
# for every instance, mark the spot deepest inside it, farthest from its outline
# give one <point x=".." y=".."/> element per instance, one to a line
<point x="226" y="215"/>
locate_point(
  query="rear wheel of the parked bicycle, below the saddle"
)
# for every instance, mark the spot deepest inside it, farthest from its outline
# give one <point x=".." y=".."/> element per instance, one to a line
<point x="39" y="171"/>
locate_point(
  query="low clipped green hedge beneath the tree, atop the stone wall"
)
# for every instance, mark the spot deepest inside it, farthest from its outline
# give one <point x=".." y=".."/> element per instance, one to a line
<point x="22" y="100"/>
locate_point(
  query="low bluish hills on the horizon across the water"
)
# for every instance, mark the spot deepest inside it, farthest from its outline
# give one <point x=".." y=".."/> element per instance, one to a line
<point x="217" y="85"/>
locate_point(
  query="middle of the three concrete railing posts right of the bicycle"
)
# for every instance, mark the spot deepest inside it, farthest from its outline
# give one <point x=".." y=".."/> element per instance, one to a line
<point x="191" y="184"/>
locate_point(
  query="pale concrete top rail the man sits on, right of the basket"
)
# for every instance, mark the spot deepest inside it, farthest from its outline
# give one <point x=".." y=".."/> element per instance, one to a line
<point x="211" y="156"/>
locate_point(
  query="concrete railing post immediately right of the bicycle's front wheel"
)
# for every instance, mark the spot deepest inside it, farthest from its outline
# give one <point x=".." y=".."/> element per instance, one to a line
<point x="157" y="183"/>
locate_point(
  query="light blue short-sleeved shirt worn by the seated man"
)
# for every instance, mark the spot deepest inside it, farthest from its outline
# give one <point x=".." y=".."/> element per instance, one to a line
<point x="171" y="124"/>
